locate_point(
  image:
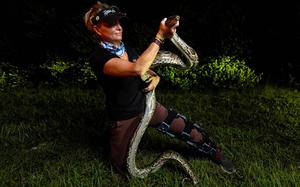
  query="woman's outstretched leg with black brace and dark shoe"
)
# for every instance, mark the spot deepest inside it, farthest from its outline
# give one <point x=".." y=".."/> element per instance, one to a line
<point x="175" y="125"/>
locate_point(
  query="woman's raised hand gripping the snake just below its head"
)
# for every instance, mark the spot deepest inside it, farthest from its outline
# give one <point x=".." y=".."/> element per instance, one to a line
<point x="165" y="31"/>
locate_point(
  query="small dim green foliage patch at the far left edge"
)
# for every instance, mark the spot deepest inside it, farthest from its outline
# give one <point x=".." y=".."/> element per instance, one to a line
<point x="11" y="76"/>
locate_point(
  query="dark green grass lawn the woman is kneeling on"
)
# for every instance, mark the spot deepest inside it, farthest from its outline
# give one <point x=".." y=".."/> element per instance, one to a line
<point x="58" y="137"/>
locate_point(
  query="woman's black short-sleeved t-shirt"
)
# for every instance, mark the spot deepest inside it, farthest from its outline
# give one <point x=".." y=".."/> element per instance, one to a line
<point x="124" y="96"/>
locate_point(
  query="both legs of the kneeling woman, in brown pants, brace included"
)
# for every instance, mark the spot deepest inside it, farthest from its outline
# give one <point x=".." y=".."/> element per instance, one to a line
<point x="122" y="132"/>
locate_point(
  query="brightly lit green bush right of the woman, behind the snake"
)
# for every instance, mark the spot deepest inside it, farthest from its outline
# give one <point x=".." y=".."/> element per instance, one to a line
<point x="221" y="72"/>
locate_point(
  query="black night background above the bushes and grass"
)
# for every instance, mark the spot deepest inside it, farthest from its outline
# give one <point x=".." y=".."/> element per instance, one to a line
<point x="266" y="34"/>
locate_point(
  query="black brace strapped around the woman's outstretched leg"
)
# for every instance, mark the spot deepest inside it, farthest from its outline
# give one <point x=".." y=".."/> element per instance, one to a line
<point x="207" y="146"/>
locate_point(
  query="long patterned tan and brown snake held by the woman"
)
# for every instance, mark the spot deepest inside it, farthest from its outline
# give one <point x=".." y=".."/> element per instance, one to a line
<point x="162" y="58"/>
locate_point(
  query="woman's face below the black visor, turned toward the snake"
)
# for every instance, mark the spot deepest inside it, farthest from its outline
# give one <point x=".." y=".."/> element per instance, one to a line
<point x="111" y="33"/>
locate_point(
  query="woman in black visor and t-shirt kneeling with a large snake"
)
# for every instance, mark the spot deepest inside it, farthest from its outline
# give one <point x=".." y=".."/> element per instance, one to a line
<point x="120" y="70"/>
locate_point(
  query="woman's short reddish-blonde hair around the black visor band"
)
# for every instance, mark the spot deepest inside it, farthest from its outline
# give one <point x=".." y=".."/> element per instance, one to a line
<point x="98" y="6"/>
